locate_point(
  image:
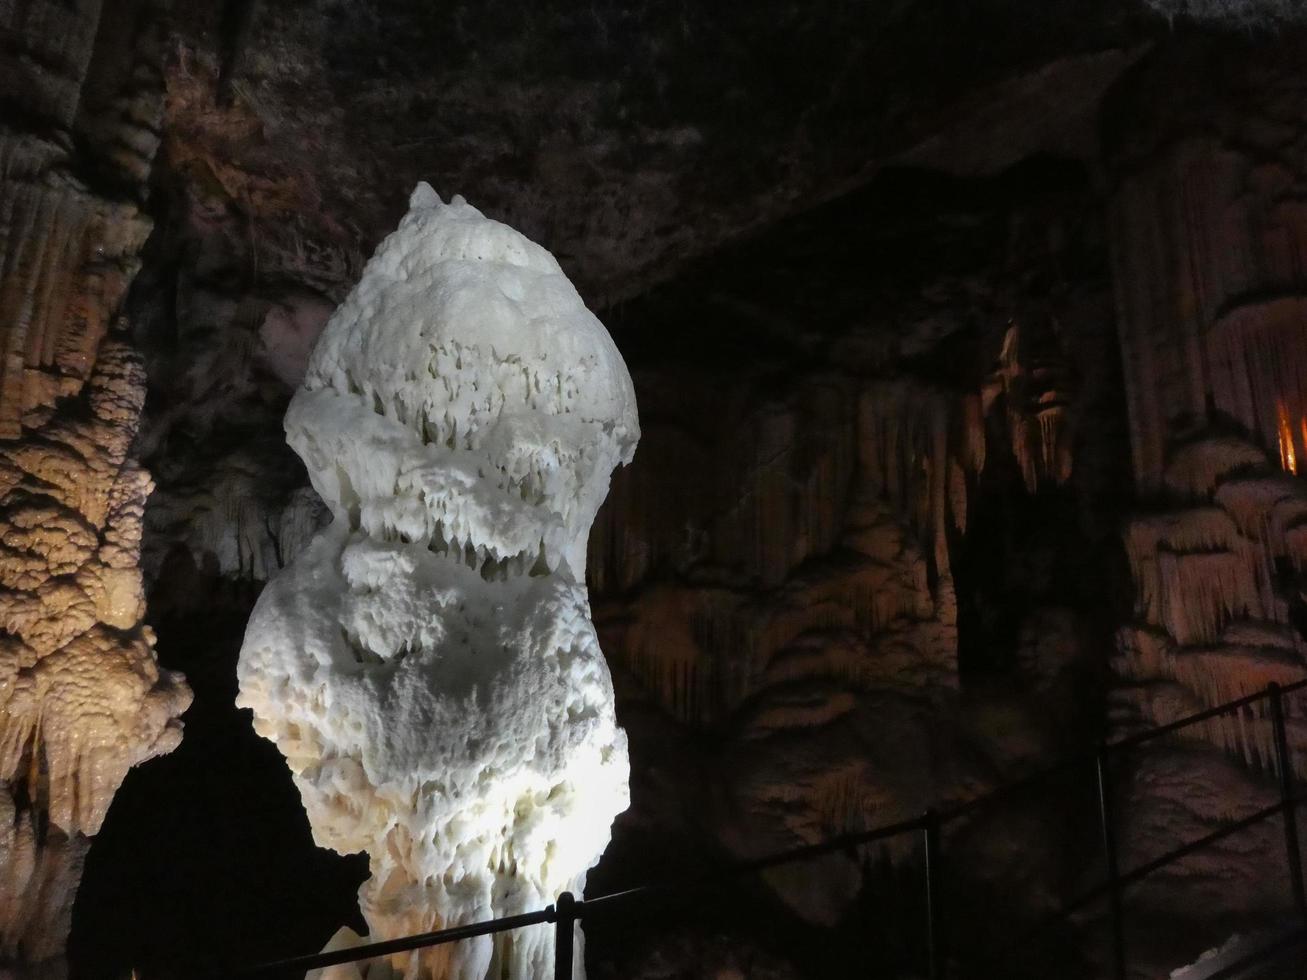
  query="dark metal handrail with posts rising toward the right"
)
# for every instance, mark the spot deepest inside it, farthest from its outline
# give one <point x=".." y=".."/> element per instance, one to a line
<point x="569" y="910"/>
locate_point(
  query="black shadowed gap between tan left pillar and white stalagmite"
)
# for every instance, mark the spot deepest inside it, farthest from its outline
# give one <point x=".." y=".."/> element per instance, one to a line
<point x="206" y="862"/>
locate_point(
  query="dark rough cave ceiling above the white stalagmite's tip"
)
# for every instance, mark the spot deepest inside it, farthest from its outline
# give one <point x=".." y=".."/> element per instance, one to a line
<point x="632" y="138"/>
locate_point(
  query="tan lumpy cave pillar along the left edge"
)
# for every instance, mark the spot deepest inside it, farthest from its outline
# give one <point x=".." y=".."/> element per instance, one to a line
<point x="82" y="696"/>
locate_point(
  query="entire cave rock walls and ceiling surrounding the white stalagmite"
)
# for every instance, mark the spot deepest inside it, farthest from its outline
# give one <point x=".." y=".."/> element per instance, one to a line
<point x="972" y="369"/>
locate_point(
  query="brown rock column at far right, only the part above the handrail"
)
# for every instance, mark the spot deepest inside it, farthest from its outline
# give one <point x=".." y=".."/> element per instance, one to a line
<point x="1212" y="292"/>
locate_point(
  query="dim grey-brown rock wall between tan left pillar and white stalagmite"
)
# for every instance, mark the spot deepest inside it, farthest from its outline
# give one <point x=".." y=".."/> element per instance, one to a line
<point x="244" y="272"/>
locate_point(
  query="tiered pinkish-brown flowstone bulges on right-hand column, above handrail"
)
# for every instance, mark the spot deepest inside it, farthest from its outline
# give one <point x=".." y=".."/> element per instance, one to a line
<point x="1212" y="608"/>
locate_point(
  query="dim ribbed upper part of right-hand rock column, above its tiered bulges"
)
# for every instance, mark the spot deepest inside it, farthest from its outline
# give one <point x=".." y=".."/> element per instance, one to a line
<point x="1210" y="237"/>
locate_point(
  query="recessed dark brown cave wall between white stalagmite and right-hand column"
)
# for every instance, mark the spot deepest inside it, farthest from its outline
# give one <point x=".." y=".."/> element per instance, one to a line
<point x="780" y="576"/>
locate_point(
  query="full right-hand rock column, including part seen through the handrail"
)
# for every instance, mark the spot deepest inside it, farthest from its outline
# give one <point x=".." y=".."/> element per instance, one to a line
<point x="1210" y="235"/>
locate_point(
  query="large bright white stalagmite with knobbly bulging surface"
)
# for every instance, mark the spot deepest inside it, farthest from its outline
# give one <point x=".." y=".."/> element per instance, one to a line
<point x="428" y="664"/>
